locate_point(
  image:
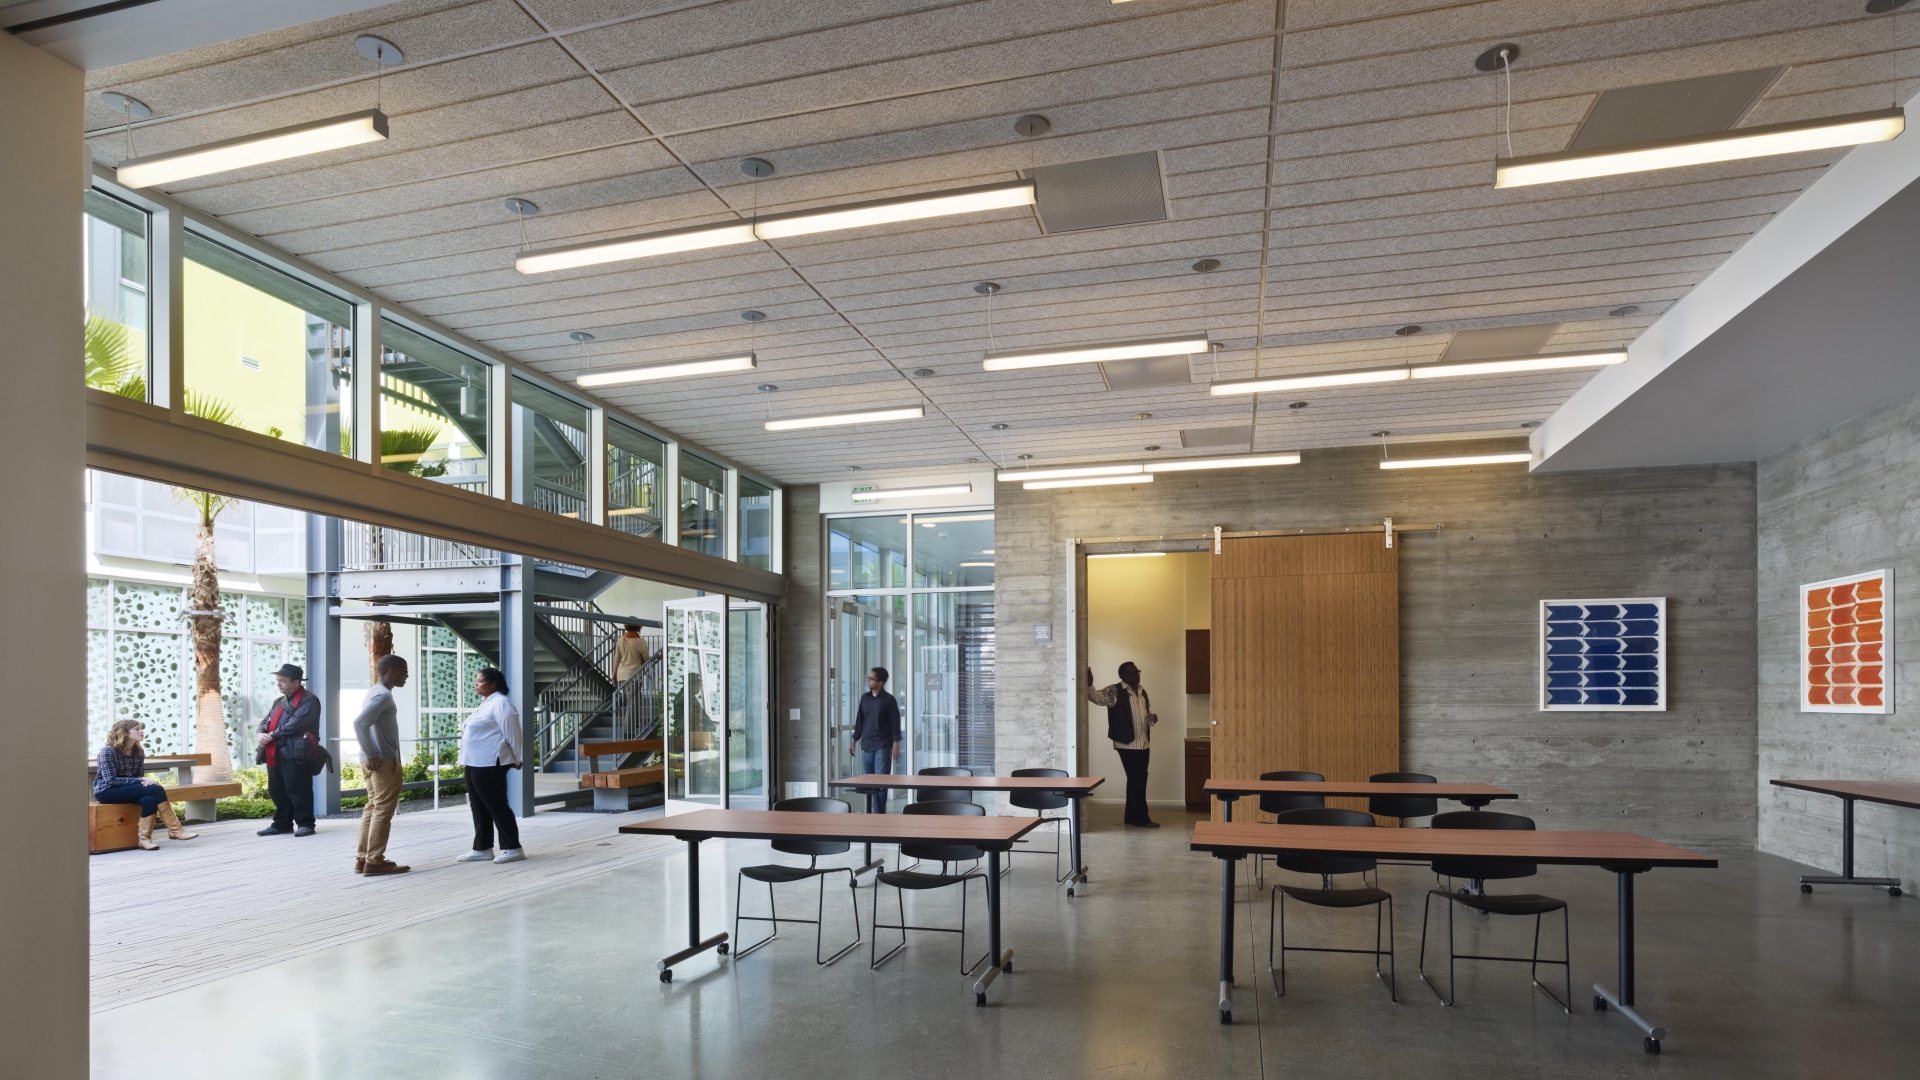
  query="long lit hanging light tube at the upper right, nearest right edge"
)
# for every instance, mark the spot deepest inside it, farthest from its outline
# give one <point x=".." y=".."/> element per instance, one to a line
<point x="1735" y="145"/>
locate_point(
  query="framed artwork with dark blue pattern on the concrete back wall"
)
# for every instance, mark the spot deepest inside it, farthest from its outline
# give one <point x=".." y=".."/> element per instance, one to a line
<point x="1604" y="656"/>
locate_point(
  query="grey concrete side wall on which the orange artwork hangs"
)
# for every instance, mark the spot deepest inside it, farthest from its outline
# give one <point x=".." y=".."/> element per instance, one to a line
<point x="1842" y="503"/>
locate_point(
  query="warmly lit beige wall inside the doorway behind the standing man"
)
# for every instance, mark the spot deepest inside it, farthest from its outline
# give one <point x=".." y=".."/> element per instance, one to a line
<point x="1140" y="610"/>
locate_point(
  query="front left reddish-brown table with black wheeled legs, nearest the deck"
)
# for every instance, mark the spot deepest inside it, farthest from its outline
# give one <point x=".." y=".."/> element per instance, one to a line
<point x="996" y="835"/>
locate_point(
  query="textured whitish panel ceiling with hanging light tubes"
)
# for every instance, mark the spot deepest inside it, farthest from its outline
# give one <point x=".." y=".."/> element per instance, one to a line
<point x="1345" y="164"/>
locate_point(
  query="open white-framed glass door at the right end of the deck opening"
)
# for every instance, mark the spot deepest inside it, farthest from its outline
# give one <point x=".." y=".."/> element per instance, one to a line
<point x="696" y="700"/>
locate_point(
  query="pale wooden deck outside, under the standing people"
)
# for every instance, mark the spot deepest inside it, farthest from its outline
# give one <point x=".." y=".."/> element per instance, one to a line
<point x="231" y="902"/>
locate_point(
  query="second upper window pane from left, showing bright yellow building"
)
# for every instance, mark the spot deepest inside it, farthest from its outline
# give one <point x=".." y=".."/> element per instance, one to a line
<point x="266" y="353"/>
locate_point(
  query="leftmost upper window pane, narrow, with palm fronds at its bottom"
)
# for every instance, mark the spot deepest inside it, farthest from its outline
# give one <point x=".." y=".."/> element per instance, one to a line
<point x="116" y="270"/>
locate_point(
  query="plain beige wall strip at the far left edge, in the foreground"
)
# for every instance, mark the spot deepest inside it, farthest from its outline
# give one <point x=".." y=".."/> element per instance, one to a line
<point x="43" y="643"/>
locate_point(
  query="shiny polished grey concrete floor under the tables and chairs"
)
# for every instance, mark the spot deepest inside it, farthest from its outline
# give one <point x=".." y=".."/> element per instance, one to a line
<point x="1752" y="979"/>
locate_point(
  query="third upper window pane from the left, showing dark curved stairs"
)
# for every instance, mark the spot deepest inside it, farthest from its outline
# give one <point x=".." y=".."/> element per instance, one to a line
<point x="433" y="410"/>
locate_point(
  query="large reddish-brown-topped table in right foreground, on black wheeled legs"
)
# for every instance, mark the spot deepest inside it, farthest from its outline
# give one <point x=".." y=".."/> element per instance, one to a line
<point x="1623" y="854"/>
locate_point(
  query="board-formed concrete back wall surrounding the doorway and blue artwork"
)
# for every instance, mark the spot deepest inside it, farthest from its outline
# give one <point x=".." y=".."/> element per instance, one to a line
<point x="1470" y="622"/>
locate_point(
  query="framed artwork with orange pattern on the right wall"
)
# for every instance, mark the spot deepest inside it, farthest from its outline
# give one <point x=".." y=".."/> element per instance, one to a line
<point x="1848" y="645"/>
